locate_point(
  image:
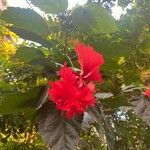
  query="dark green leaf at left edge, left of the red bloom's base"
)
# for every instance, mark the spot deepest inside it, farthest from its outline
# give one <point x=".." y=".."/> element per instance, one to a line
<point x="18" y="102"/>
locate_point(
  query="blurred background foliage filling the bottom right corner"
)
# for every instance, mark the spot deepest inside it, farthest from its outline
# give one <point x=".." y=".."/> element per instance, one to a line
<point x="132" y="133"/>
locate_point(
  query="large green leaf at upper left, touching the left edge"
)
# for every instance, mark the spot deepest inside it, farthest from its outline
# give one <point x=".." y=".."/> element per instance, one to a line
<point x="26" y="19"/>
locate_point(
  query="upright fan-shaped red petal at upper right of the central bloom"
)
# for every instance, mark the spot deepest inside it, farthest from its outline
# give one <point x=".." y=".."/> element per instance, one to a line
<point x="90" y="62"/>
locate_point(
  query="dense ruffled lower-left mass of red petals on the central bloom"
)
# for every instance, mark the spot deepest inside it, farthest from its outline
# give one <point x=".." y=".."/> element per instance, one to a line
<point x="68" y="96"/>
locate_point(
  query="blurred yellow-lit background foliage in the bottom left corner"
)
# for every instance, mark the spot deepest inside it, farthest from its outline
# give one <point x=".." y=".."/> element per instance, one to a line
<point x="17" y="132"/>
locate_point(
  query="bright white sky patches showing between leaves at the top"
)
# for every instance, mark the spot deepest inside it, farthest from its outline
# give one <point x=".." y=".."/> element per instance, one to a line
<point x="116" y="11"/>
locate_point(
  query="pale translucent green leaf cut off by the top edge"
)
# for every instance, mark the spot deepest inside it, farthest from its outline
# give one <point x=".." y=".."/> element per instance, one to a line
<point x="51" y="6"/>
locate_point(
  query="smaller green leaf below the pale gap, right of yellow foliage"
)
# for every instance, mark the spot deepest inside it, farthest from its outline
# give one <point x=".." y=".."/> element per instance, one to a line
<point x="28" y="54"/>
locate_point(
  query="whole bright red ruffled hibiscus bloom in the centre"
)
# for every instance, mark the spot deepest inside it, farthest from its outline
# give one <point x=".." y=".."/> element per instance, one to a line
<point x="73" y="92"/>
